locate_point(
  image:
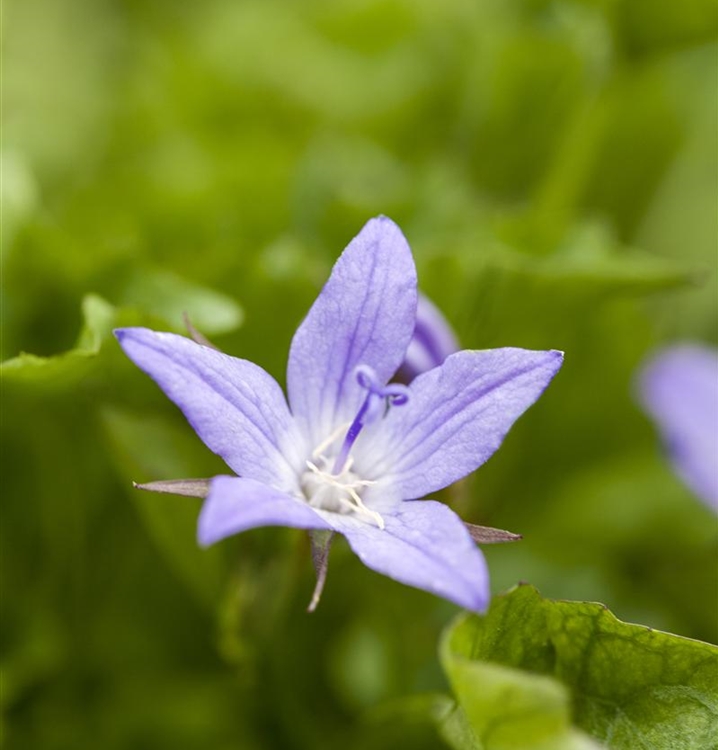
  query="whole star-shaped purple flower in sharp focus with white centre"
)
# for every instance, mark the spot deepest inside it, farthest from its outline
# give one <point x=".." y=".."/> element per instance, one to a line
<point x="352" y="452"/>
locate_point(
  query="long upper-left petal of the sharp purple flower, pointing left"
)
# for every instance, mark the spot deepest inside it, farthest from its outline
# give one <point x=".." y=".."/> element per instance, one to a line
<point x="236" y="408"/>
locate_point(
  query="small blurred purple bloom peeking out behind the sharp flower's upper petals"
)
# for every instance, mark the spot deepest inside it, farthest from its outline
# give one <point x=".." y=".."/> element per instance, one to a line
<point x="432" y="342"/>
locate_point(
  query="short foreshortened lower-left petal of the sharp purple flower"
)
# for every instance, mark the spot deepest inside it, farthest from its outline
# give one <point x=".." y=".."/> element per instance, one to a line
<point x="236" y="504"/>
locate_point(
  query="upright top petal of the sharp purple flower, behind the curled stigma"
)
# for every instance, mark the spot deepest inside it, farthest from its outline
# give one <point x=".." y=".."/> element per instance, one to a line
<point x="364" y="315"/>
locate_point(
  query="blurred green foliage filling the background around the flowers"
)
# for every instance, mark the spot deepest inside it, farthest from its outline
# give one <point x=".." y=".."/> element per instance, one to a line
<point x="553" y="165"/>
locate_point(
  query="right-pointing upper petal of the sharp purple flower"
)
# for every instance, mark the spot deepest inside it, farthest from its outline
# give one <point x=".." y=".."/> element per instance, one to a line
<point x="457" y="416"/>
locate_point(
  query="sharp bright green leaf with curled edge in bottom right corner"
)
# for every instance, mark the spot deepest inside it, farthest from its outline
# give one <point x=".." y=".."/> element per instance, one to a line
<point x="520" y="671"/>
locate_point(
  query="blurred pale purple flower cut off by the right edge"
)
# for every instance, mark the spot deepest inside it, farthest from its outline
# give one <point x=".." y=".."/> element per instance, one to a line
<point x="679" y="389"/>
